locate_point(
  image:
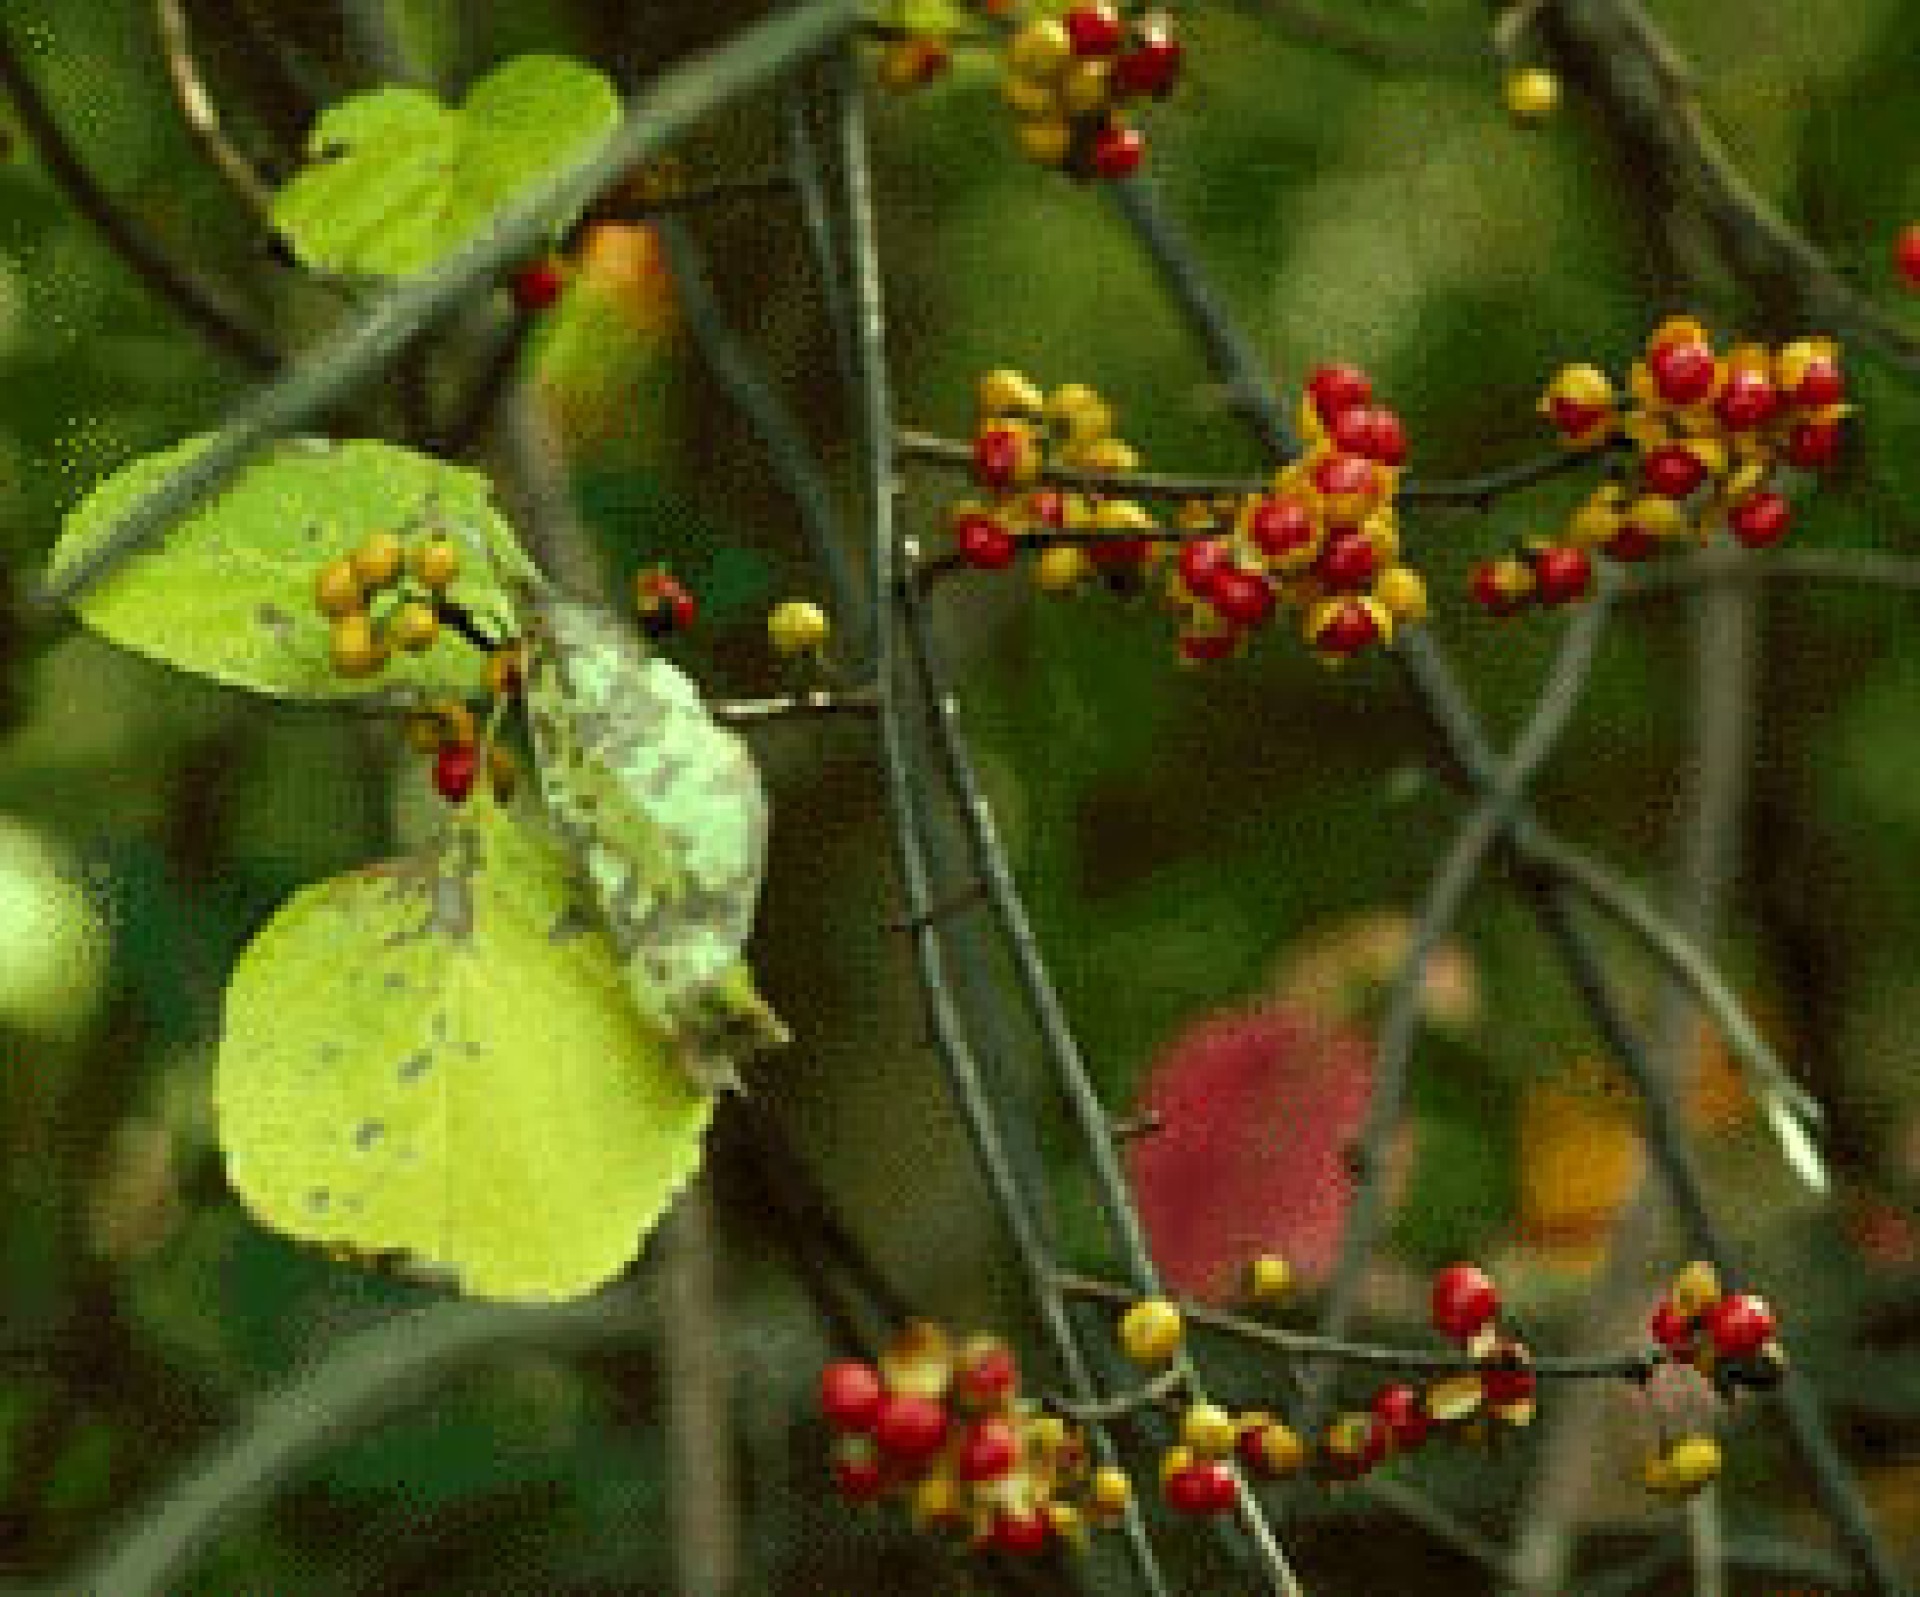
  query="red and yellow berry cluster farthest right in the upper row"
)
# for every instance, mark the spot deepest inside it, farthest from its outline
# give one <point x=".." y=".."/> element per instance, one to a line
<point x="1710" y="435"/>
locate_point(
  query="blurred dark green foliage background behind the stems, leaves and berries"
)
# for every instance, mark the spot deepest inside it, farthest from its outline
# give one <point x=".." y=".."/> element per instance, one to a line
<point x="1184" y="834"/>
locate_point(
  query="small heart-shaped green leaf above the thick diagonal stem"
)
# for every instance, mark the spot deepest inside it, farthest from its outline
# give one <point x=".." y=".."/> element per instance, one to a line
<point x="402" y="181"/>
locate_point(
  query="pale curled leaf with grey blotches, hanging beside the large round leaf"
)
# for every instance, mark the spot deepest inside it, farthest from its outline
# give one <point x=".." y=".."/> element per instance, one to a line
<point x="665" y="813"/>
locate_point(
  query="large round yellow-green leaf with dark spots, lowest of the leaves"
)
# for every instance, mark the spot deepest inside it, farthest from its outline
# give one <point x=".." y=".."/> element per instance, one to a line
<point x="439" y="1057"/>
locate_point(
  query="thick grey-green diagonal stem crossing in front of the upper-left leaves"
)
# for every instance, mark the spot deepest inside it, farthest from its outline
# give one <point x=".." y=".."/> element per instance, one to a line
<point x="368" y="346"/>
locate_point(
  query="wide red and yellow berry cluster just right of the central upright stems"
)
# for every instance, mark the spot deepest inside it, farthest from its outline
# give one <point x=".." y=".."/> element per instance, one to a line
<point x="1322" y="540"/>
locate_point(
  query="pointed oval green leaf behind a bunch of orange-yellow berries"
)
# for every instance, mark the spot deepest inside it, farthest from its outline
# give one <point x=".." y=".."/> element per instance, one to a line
<point x="229" y="592"/>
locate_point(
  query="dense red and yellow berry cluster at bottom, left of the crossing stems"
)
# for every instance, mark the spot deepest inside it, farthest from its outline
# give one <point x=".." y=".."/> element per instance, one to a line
<point x="944" y="1427"/>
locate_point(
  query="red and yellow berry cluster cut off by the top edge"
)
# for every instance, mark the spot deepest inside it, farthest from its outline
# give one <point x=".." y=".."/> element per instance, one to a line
<point x="1070" y="78"/>
